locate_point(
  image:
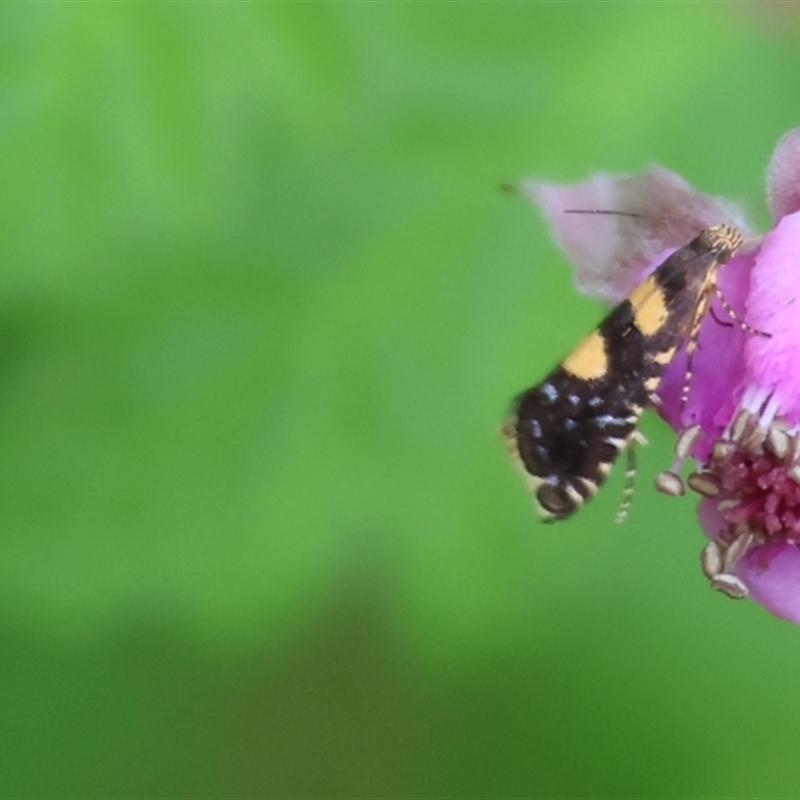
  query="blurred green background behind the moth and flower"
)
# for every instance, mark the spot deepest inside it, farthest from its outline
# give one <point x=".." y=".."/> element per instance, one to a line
<point x="262" y="307"/>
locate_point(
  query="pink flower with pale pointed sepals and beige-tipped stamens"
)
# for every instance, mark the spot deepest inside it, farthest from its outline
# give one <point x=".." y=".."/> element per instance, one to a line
<point x="741" y="423"/>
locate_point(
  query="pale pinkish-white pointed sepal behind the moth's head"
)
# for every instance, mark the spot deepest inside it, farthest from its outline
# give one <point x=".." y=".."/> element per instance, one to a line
<point x="611" y="253"/>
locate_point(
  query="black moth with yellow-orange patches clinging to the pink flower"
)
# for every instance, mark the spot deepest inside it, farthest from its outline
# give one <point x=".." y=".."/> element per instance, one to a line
<point x="567" y="431"/>
